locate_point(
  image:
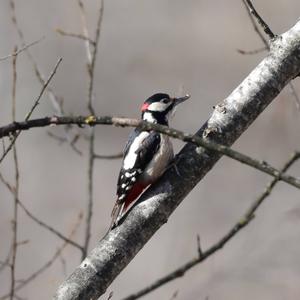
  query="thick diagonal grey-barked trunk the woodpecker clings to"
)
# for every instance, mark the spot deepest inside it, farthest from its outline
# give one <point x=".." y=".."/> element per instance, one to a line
<point x="230" y="118"/>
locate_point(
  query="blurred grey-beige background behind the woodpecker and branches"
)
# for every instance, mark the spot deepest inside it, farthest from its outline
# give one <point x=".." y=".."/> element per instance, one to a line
<point x="146" y="47"/>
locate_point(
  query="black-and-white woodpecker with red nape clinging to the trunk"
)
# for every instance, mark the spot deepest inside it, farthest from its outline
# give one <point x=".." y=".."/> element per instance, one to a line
<point x="146" y="154"/>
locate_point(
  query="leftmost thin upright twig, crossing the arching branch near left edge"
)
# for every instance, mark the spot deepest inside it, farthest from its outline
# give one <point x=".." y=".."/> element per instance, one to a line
<point x="16" y="189"/>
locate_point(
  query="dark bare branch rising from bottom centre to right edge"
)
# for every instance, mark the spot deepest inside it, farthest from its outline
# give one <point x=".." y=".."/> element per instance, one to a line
<point x="244" y="221"/>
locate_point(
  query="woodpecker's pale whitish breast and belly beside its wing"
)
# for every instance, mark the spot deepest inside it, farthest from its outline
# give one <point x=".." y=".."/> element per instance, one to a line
<point x="159" y="162"/>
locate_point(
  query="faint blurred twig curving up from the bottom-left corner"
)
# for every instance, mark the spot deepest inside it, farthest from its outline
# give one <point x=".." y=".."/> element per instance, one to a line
<point x="48" y="264"/>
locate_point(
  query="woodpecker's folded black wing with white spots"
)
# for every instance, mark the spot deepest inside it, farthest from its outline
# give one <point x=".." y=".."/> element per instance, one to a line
<point x="143" y="155"/>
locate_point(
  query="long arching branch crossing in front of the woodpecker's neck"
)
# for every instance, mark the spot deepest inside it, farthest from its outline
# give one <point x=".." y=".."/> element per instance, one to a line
<point x="174" y="133"/>
